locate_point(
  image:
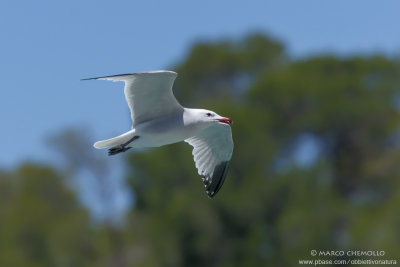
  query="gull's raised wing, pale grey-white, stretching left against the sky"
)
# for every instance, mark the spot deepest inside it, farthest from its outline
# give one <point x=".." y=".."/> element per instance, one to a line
<point x="149" y="94"/>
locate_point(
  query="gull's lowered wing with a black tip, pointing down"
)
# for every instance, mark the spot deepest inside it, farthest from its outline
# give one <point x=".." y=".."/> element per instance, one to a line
<point x="212" y="152"/>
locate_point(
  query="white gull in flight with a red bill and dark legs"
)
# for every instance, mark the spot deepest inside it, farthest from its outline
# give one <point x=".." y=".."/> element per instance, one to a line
<point x="158" y="119"/>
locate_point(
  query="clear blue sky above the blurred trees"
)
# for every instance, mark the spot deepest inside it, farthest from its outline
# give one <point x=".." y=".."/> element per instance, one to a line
<point x="48" y="46"/>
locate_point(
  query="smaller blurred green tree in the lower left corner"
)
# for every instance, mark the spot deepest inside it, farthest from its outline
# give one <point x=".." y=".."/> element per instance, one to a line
<point x="41" y="223"/>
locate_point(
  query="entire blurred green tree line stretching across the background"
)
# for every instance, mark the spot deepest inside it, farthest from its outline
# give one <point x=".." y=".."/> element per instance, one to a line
<point x="315" y="166"/>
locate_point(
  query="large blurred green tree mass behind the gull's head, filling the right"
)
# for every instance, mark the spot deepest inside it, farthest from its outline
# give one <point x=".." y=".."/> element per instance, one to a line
<point x="269" y="212"/>
